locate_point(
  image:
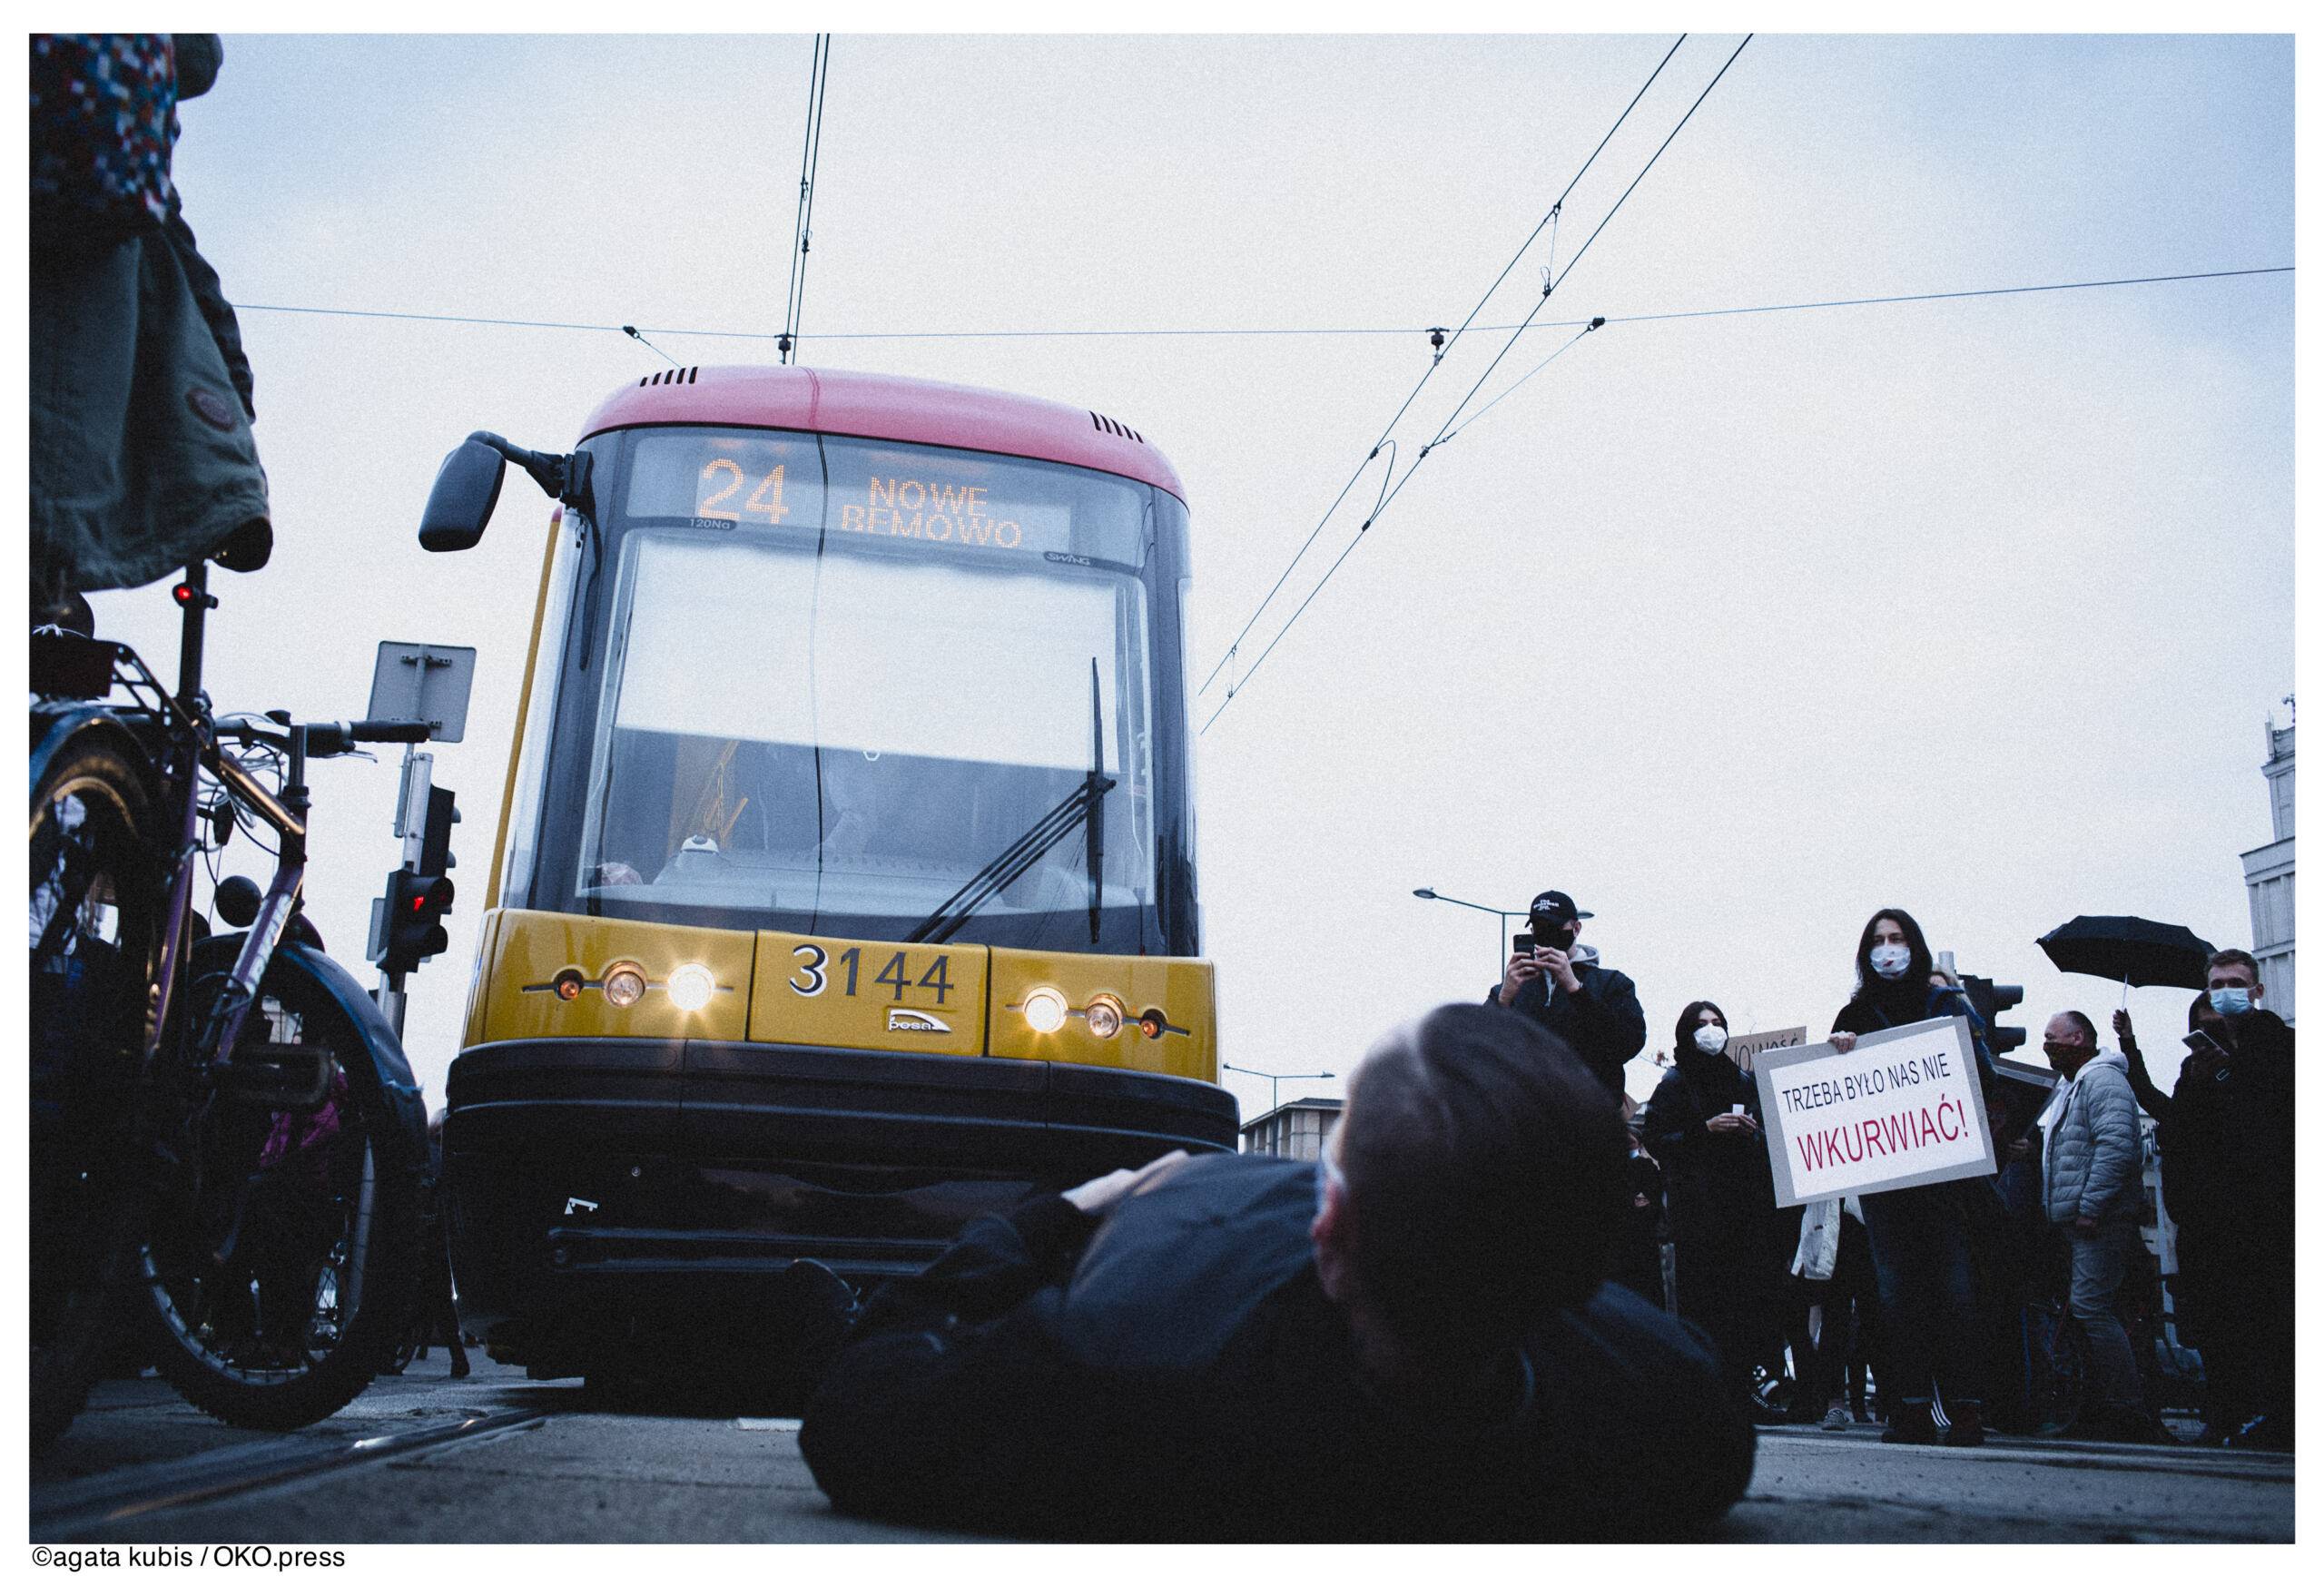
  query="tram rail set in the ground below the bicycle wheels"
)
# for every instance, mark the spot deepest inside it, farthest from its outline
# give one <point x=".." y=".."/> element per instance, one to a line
<point x="108" y="1504"/>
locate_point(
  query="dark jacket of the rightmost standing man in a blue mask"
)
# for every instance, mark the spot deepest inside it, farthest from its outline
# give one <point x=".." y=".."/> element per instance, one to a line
<point x="2228" y="1153"/>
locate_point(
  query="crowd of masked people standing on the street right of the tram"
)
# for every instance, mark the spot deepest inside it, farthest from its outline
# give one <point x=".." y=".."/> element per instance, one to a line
<point x="1921" y="1290"/>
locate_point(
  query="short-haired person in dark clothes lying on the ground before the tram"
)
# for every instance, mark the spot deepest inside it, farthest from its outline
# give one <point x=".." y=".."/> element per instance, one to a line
<point x="1410" y="1341"/>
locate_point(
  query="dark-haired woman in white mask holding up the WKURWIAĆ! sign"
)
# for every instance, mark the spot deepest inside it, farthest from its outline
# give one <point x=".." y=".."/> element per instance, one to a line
<point x="1918" y="1234"/>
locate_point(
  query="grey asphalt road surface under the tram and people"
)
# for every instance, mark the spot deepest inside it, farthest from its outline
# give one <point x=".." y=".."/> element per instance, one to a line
<point x="141" y="1467"/>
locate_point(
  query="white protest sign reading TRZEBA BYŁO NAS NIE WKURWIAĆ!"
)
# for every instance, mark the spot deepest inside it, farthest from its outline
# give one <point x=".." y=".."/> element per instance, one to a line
<point x="1898" y="1111"/>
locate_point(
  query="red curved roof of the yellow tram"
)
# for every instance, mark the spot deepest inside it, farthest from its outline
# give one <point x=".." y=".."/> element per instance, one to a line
<point x="875" y="405"/>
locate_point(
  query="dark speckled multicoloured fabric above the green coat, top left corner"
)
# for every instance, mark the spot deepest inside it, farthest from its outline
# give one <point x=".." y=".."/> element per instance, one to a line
<point x="103" y="127"/>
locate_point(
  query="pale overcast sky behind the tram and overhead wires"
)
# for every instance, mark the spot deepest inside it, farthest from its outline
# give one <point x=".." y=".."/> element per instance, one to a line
<point x="1735" y="628"/>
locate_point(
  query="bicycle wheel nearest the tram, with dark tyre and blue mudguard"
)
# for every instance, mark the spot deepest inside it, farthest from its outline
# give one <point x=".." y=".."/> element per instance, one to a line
<point x="282" y="1262"/>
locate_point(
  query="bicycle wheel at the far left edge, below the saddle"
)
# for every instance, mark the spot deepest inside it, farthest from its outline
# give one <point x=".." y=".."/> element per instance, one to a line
<point x="94" y="937"/>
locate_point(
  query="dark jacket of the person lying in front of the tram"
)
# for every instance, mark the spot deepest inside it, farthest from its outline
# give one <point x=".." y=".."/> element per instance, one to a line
<point x="1179" y="1376"/>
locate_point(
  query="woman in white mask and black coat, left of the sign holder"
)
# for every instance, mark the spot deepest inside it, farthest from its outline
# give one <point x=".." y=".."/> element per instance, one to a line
<point x="1705" y="1130"/>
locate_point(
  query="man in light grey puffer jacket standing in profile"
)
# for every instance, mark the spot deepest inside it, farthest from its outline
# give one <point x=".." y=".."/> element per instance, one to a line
<point x="2090" y="1193"/>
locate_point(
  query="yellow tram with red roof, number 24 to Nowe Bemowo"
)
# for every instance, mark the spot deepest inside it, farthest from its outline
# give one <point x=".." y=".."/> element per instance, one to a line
<point x="845" y="881"/>
